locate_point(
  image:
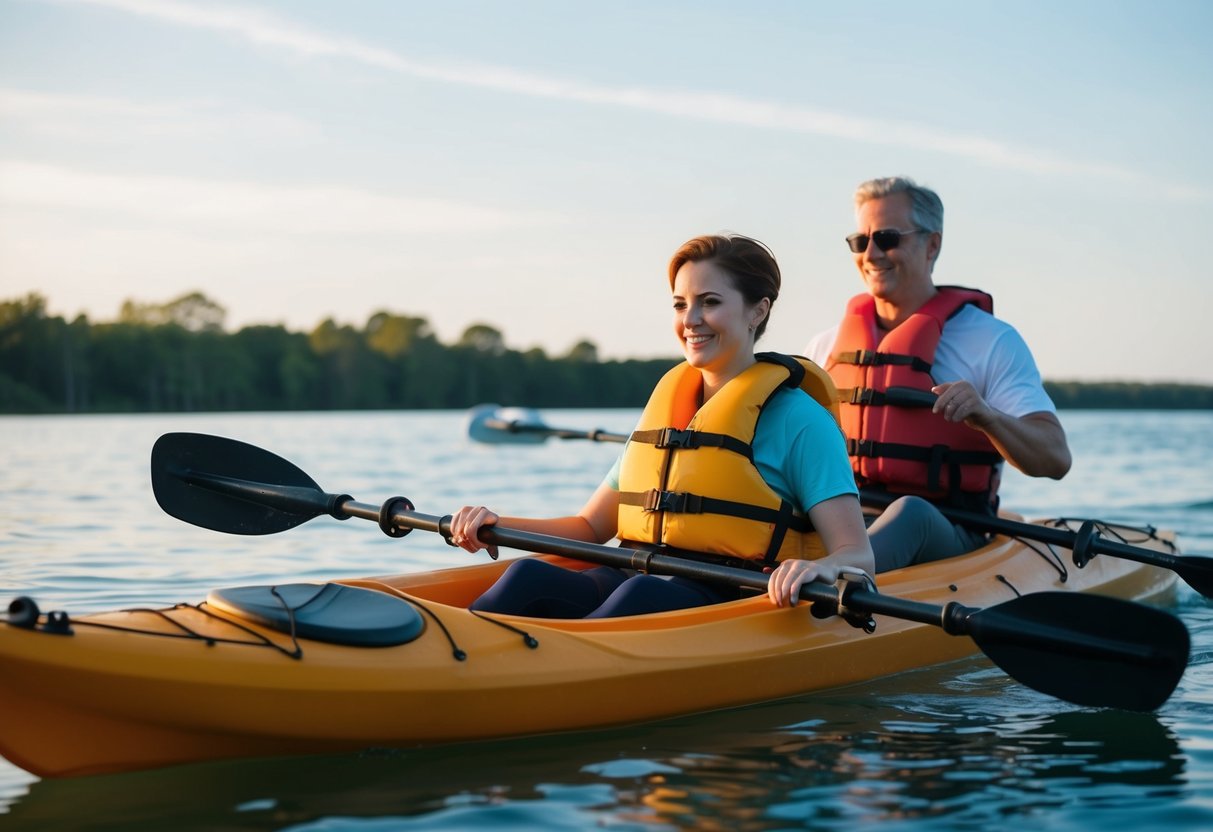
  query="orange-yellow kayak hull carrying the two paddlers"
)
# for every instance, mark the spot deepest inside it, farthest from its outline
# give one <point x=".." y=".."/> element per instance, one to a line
<point x="135" y="689"/>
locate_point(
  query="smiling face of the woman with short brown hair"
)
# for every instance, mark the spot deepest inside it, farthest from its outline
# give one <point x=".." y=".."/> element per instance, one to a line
<point x="713" y="321"/>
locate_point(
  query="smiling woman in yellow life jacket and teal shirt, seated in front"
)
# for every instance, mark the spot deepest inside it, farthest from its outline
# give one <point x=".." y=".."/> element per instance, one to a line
<point x="732" y="458"/>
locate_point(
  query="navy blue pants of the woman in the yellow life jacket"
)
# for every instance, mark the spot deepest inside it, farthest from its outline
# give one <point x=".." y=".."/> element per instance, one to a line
<point x="543" y="590"/>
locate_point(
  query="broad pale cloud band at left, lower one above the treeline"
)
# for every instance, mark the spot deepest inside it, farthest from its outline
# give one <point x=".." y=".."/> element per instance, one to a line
<point x="243" y="207"/>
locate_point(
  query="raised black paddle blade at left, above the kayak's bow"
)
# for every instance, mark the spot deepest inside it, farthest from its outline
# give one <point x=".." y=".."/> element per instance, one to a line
<point x="232" y="487"/>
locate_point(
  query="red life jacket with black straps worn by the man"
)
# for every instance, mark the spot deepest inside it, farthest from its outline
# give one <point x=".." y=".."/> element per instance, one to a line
<point x="895" y="441"/>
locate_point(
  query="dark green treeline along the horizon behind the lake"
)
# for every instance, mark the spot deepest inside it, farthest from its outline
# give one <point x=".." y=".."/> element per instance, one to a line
<point x="176" y="357"/>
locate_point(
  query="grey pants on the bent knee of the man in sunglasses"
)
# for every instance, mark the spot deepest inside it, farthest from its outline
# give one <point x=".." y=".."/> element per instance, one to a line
<point x="912" y="531"/>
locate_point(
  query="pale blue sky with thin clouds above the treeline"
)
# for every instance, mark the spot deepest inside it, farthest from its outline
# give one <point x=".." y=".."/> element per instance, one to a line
<point x="533" y="164"/>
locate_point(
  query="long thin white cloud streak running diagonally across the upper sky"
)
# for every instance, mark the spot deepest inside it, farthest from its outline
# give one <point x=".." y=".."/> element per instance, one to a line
<point x="266" y="30"/>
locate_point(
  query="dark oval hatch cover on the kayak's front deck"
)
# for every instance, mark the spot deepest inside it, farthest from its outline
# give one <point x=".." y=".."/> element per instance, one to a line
<point x="331" y="613"/>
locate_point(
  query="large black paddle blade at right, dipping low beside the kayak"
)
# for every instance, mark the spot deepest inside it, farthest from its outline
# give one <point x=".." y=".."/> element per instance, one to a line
<point x="1086" y="649"/>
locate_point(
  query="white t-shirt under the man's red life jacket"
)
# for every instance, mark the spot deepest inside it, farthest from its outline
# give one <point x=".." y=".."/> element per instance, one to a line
<point x="978" y="349"/>
